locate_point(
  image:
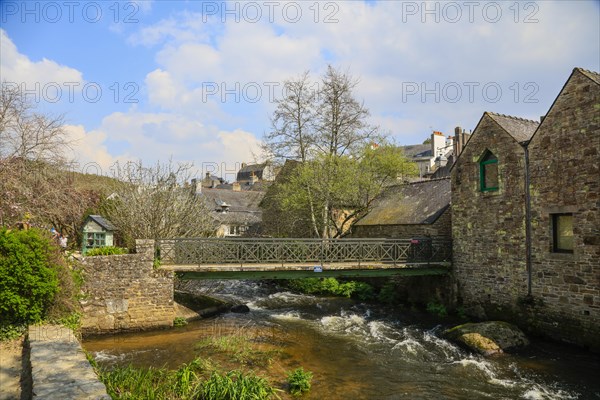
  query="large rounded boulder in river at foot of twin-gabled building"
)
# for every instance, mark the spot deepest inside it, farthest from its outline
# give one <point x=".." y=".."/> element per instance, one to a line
<point x="487" y="338"/>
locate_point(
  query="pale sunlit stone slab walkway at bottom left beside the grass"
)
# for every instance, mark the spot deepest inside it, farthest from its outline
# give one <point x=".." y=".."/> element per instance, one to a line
<point x="59" y="367"/>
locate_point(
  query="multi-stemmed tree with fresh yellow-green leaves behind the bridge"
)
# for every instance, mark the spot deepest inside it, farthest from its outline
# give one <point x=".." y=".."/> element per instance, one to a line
<point x="338" y="190"/>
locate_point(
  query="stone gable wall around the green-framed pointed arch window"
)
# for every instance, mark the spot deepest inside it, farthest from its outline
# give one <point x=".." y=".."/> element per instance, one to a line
<point x="488" y="228"/>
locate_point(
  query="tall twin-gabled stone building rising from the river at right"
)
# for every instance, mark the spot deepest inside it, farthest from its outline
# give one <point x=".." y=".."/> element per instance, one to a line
<point x="525" y="216"/>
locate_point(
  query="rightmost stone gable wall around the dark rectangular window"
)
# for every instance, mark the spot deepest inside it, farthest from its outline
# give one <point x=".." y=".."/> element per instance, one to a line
<point x="565" y="178"/>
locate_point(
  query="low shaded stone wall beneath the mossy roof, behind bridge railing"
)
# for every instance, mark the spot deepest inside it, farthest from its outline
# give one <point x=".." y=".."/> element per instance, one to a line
<point x="442" y="228"/>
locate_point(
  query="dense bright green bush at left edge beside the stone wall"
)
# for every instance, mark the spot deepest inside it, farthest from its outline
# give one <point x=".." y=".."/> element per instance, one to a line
<point x="29" y="282"/>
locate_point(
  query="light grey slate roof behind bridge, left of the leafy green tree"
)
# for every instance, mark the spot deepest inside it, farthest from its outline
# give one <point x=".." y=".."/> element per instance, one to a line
<point x="243" y="205"/>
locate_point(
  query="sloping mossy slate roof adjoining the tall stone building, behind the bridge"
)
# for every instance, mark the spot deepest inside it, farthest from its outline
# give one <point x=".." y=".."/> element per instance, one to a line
<point x="410" y="204"/>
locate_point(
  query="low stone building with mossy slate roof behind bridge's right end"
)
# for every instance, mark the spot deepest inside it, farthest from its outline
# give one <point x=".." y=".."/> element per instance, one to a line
<point x="408" y="211"/>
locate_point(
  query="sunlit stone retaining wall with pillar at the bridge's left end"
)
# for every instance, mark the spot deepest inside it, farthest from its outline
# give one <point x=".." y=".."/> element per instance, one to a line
<point x="125" y="292"/>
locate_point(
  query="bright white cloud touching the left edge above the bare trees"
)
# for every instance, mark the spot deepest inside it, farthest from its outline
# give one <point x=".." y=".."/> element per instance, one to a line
<point x="18" y="68"/>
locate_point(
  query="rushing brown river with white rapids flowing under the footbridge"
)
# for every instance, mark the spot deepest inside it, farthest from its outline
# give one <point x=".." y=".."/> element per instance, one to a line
<point x="359" y="351"/>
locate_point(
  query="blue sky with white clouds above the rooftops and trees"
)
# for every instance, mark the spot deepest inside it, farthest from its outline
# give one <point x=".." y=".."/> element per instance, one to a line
<point x="196" y="81"/>
